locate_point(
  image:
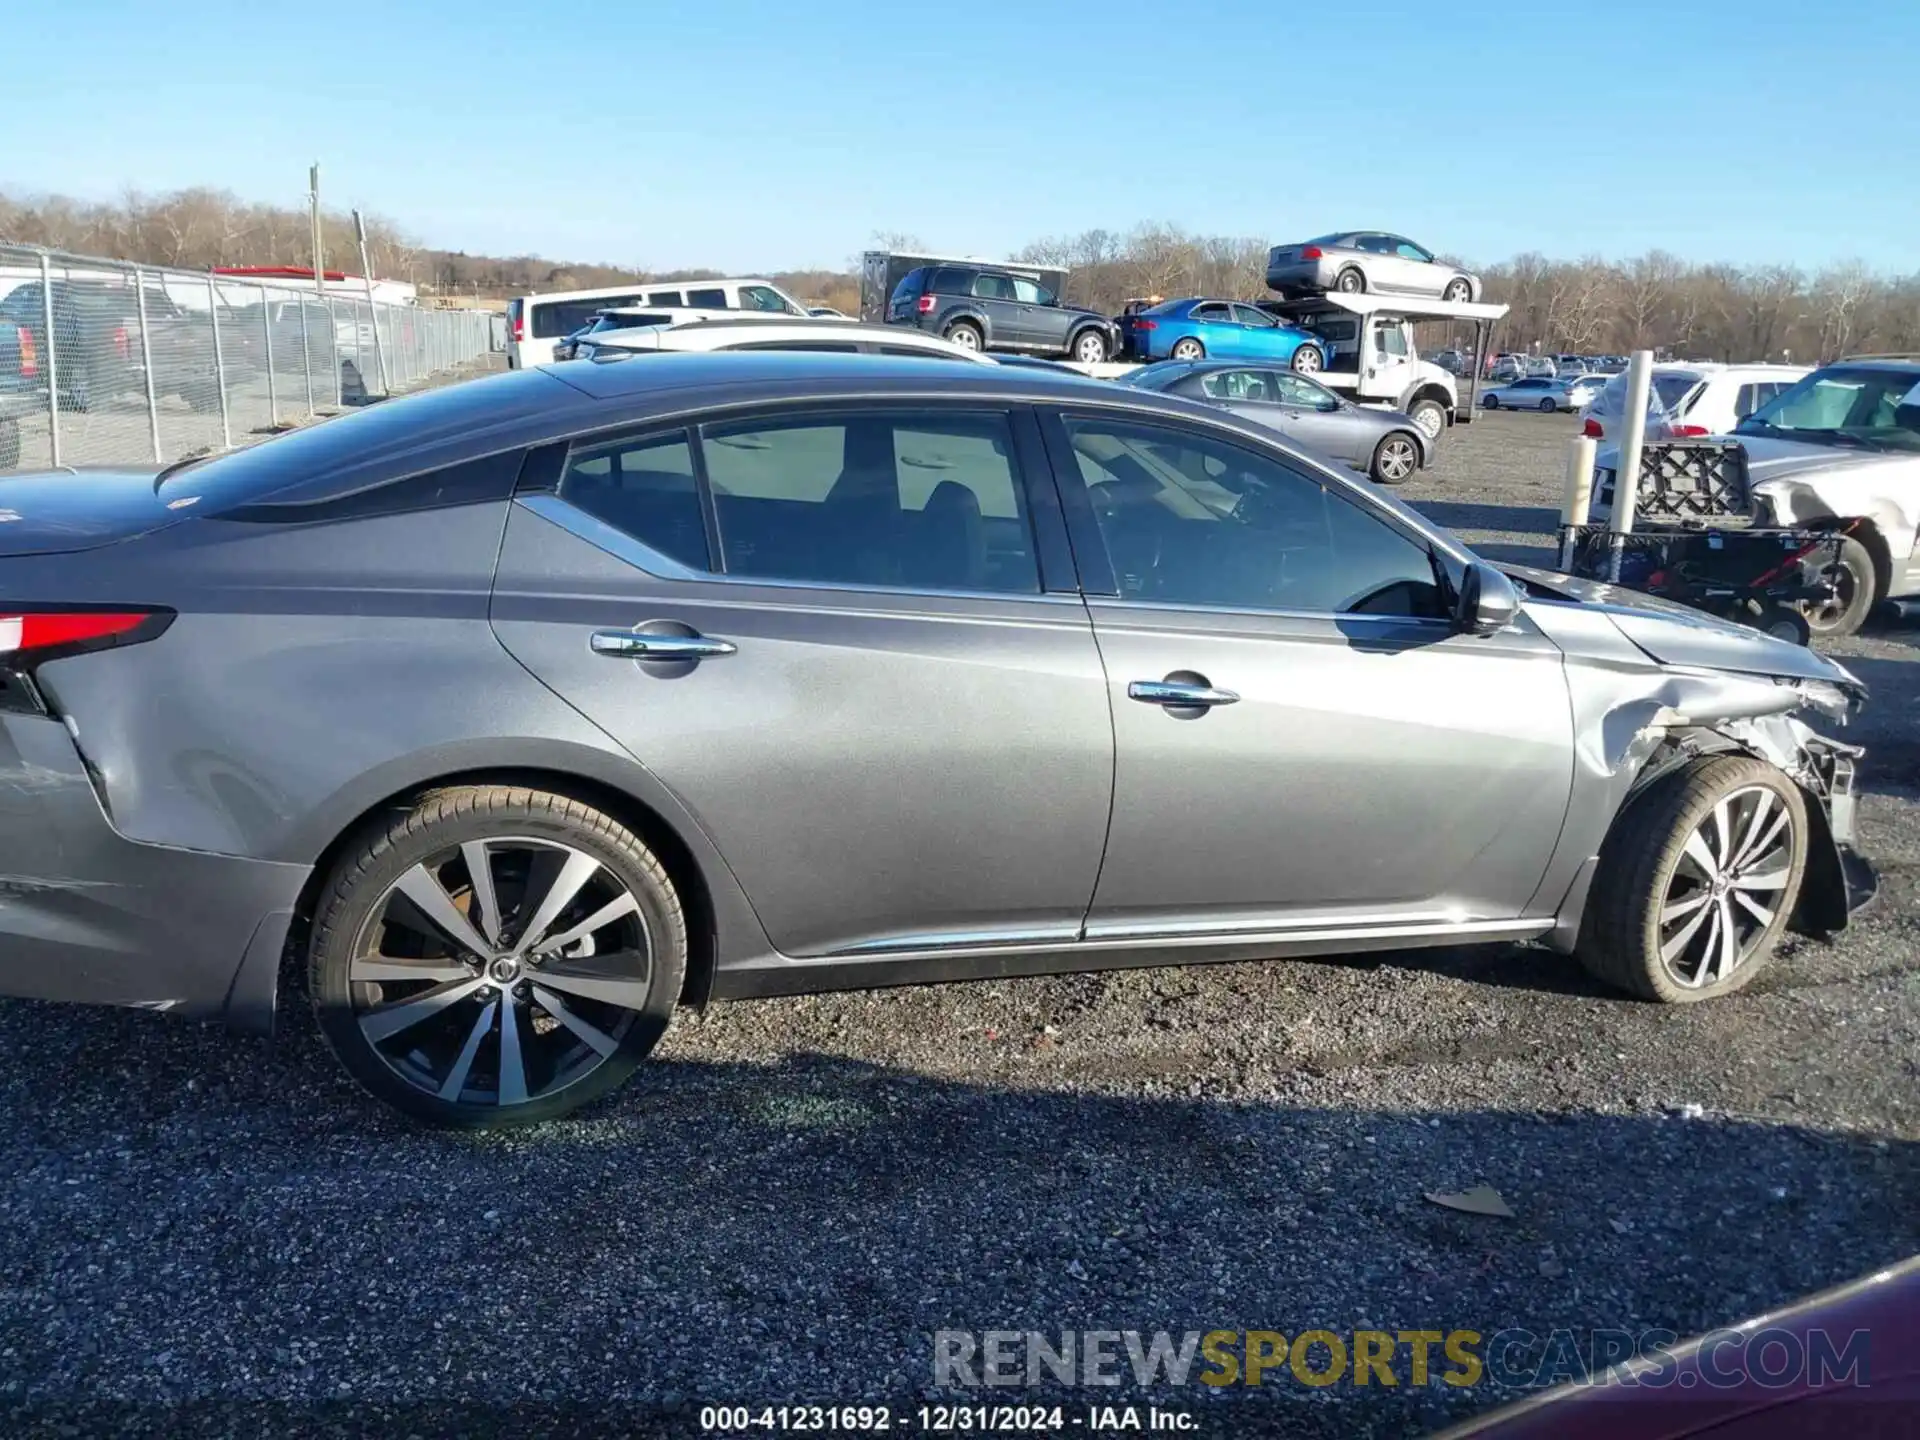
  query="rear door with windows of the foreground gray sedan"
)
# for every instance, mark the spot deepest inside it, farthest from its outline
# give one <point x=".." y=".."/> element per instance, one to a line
<point x="888" y="719"/>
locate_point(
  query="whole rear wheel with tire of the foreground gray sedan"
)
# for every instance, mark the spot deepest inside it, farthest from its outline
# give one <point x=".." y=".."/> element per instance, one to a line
<point x="496" y="957"/>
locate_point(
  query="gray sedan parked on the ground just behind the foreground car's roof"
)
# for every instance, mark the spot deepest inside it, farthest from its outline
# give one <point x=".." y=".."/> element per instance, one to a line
<point x="1387" y="444"/>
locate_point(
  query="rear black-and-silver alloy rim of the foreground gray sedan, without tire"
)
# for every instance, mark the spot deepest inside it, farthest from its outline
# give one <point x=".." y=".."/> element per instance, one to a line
<point x="502" y="971"/>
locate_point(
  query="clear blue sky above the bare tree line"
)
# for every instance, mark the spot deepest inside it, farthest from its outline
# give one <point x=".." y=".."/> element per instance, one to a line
<point x="779" y="135"/>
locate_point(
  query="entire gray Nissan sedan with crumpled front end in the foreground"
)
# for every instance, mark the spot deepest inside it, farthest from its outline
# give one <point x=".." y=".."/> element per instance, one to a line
<point x="527" y="711"/>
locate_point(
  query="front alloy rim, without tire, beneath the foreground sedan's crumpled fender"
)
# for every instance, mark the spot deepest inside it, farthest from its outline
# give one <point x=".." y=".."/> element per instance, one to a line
<point x="1725" y="892"/>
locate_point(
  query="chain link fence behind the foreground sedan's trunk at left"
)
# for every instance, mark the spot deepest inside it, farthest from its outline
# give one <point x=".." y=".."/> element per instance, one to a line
<point x="114" y="364"/>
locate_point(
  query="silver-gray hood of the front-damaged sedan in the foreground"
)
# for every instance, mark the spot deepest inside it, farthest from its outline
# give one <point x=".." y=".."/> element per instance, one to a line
<point x="1683" y="636"/>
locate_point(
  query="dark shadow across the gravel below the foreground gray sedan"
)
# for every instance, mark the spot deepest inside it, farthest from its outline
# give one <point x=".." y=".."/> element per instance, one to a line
<point x="189" y="1218"/>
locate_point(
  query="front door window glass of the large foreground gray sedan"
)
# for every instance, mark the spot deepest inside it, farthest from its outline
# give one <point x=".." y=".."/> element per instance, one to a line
<point x="1195" y="521"/>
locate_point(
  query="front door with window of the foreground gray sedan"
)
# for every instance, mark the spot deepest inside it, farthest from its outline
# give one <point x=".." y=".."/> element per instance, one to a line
<point x="1303" y="742"/>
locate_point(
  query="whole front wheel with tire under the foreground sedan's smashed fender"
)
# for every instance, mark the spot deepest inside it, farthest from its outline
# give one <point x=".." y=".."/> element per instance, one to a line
<point x="1696" y="882"/>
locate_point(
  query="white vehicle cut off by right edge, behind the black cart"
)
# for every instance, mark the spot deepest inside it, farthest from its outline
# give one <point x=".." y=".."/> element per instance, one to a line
<point x="1836" y="450"/>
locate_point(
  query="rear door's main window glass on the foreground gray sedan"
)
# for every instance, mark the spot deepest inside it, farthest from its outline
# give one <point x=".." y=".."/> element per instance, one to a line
<point x="919" y="502"/>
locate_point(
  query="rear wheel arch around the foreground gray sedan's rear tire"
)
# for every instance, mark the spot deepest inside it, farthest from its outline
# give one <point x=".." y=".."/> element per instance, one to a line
<point x="719" y="915"/>
